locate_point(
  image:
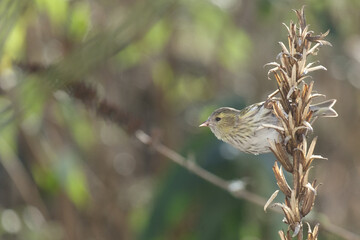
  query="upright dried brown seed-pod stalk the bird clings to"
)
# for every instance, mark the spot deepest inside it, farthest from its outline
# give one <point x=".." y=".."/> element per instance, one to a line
<point x="293" y="110"/>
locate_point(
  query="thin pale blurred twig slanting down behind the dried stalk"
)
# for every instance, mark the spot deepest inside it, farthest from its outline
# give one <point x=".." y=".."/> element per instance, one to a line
<point x="235" y="188"/>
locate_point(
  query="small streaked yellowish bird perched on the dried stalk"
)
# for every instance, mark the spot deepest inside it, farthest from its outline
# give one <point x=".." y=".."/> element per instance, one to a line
<point x="247" y="129"/>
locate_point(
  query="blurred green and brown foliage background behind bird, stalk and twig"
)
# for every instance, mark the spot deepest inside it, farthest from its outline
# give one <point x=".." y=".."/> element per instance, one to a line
<point x="68" y="172"/>
